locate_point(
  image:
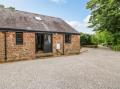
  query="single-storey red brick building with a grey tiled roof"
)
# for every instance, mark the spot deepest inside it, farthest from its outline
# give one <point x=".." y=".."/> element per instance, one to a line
<point x="25" y="35"/>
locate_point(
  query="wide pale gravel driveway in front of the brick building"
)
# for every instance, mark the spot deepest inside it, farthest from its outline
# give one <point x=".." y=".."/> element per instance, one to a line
<point x="92" y="69"/>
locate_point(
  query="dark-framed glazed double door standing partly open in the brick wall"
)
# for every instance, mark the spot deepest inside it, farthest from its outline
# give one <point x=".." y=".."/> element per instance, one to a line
<point x="43" y="42"/>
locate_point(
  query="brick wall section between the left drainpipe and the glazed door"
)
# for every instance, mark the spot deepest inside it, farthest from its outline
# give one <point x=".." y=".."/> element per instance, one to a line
<point x="19" y="52"/>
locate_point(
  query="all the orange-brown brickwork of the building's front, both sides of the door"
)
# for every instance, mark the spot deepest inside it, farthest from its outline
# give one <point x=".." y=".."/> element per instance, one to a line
<point x="27" y="50"/>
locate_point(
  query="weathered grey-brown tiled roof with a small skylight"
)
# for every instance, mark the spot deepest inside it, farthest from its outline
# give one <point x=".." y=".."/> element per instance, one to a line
<point x="32" y="22"/>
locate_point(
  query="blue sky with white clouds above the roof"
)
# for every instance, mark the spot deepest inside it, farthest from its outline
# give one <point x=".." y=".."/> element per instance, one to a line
<point x="74" y="12"/>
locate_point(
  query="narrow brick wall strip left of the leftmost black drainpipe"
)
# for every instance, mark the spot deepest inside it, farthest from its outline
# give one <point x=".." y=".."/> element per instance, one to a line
<point x="2" y="48"/>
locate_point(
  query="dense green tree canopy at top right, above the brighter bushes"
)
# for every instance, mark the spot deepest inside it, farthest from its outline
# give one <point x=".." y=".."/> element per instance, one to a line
<point x="105" y="15"/>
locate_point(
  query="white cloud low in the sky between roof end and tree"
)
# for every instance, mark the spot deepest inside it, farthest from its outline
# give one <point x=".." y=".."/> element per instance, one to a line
<point x="81" y="26"/>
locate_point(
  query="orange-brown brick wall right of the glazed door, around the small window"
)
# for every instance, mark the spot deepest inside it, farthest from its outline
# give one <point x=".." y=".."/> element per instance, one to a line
<point x="69" y="48"/>
